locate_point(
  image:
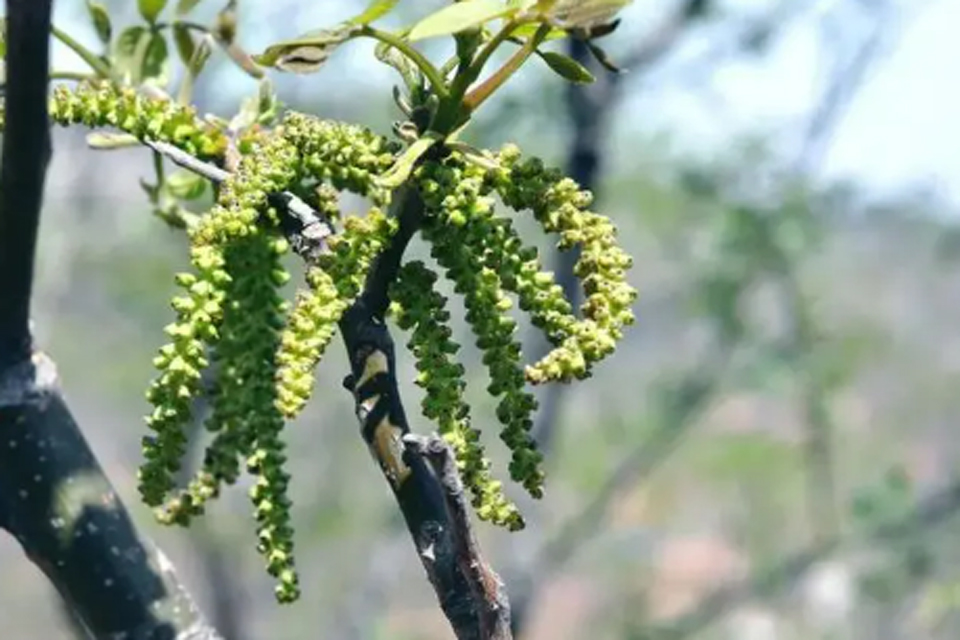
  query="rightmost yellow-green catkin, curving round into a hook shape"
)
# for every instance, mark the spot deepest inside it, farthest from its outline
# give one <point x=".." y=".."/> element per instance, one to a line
<point x="561" y="207"/>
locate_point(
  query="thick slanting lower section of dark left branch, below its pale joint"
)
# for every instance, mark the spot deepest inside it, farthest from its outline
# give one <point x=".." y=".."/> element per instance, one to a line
<point x="61" y="508"/>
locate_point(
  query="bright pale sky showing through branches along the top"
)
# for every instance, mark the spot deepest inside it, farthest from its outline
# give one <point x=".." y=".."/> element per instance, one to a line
<point x="900" y="133"/>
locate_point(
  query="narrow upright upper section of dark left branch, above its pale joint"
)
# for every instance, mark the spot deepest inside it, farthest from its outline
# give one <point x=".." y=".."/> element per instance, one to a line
<point x="26" y="153"/>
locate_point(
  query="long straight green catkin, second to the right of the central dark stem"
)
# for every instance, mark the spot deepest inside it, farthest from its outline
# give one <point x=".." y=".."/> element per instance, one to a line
<point x="456" y="215"/>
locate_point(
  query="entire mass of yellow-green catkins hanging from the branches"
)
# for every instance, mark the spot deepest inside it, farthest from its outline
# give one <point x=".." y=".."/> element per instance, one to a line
<point x="236" y="340"/>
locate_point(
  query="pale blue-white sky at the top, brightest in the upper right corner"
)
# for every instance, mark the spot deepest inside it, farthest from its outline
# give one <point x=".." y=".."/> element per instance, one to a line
<point x="902" y="130"/>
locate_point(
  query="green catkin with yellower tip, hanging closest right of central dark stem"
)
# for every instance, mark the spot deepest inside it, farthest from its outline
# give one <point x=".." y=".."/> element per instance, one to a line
<point x="417" y="306"/>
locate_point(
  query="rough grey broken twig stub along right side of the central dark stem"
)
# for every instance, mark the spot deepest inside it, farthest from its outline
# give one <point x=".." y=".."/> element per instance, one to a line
<point x="488" y="590"/>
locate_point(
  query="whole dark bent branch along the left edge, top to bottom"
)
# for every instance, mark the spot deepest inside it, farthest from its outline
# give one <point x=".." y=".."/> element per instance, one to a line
<point x="54" y="497"/>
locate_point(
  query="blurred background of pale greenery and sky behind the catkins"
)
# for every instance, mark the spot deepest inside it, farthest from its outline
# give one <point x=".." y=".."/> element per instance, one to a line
<point x="770" y="453"/>
